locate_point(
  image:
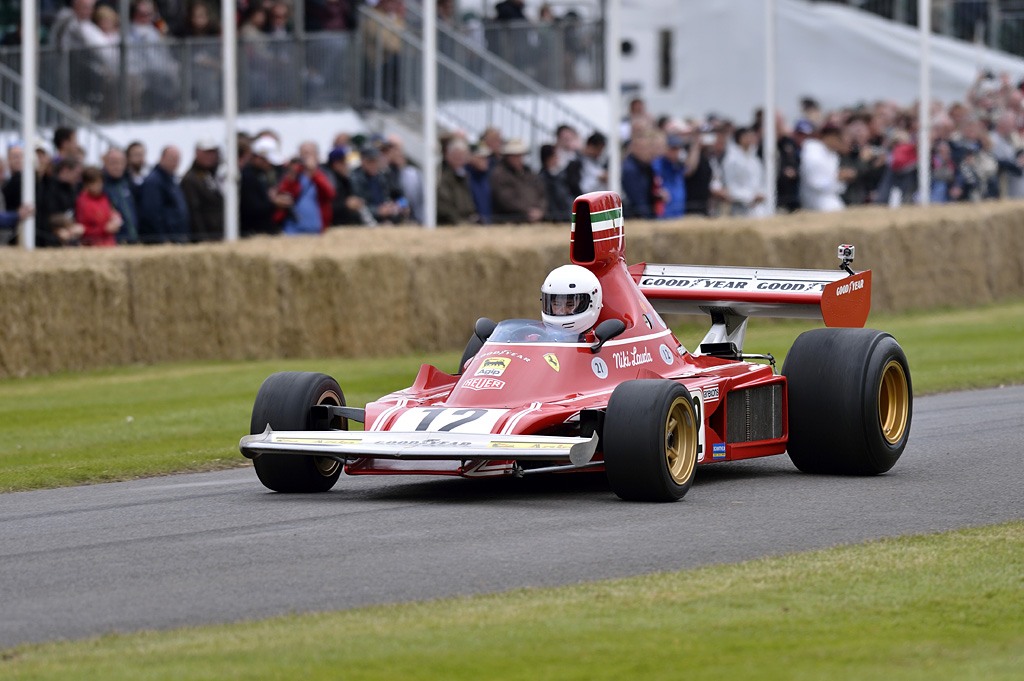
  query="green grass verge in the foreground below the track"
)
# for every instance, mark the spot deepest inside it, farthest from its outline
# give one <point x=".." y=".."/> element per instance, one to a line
<point x="938" y="607"/>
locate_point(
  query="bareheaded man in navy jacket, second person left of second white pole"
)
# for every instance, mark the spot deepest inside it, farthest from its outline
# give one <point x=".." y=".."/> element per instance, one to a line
<point x="163" y="210"/>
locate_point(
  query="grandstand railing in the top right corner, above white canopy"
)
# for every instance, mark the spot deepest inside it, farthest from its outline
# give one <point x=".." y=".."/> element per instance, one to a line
<point x="998" y="24"/>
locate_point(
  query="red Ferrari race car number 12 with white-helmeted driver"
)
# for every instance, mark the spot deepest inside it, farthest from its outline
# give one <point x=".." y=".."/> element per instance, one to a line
<point x="602" y="384"/>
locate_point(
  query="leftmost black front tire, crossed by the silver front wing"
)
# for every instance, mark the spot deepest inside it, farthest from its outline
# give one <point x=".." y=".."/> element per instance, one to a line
<point x="283" y="403"/>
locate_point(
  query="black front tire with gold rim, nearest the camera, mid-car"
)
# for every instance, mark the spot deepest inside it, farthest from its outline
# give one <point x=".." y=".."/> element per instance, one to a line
<point x="651" y="441"/>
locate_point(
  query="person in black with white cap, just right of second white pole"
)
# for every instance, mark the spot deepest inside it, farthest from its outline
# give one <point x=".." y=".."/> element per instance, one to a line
<point x="260" y="201"/>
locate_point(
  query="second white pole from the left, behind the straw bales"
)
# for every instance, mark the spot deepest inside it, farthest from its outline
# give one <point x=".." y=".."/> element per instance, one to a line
<point x="231" y="86"/>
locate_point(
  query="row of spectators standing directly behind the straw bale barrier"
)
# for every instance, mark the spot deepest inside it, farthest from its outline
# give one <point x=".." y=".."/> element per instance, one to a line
<point x="671" y="168"/>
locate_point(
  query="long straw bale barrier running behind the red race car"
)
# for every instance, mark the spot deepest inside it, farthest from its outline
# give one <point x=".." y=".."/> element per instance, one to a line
<point x="393" y="291"/>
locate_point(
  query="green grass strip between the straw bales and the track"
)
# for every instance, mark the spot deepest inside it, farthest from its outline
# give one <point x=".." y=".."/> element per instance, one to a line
<point x="121" y="423"/>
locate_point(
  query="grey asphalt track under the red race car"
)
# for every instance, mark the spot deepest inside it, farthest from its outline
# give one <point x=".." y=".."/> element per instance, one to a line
<point x="218" y="547"/>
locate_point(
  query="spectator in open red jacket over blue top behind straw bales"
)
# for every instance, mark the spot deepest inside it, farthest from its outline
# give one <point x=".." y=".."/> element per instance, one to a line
<point x="312" y="194"/>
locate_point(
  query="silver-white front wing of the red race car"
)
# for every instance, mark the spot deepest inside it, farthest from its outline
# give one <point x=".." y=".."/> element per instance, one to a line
<point x="351" y="445"/>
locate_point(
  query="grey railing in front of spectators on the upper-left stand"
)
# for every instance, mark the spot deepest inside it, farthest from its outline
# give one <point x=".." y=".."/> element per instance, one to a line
<point x="185" y="77"/>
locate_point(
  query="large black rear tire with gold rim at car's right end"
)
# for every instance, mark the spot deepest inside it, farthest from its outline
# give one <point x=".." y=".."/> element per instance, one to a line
<point x="850" y="402"/>
